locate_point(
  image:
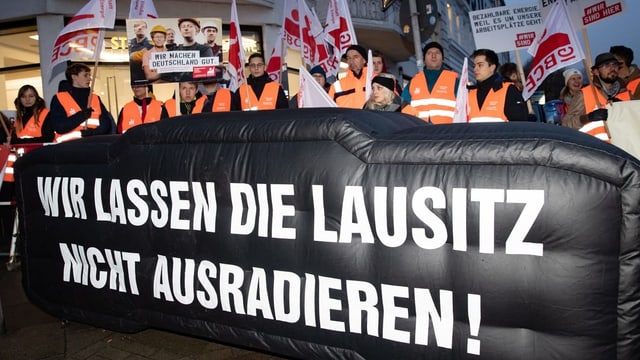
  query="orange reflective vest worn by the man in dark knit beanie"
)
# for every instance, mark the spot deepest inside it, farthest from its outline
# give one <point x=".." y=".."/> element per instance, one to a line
<point x="439" y="104"/>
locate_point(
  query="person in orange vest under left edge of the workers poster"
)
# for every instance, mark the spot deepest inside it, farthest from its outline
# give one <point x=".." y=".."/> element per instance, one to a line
<point x="141" y="110"/>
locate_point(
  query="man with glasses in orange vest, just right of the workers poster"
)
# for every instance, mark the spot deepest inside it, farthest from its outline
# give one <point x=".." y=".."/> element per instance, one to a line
<point x="260" y="92"/>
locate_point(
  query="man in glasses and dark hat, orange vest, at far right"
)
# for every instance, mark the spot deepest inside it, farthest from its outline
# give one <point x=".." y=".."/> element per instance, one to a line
<point x="606" y="85"/>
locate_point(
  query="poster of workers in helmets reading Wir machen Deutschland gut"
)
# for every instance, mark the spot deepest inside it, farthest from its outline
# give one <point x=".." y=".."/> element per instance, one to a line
<point x="174" y="49"/>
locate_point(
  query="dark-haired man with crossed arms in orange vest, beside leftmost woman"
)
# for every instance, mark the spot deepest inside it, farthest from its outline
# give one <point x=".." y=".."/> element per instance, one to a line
<point x="75" y="112"/>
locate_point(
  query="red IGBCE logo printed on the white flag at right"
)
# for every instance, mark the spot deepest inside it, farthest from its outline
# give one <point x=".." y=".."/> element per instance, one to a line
<point x="554" y="50"/>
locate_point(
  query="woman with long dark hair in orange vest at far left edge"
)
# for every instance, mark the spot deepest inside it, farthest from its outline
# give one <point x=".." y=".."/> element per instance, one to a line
<point x="31" y="111"/>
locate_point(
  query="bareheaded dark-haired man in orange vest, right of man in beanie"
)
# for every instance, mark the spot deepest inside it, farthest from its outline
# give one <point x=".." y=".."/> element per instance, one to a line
<point x="493" y="99"/>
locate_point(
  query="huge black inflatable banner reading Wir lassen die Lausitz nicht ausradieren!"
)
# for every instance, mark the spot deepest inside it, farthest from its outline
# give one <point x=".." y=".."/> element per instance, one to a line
<point x="333" y="233"/>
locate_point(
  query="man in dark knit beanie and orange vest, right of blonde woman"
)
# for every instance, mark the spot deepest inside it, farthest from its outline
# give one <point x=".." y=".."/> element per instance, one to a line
<point x="432" y="92"/>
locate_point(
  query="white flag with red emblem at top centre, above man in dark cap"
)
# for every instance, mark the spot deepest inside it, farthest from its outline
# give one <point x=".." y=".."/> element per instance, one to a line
<point x="339" y="31"/>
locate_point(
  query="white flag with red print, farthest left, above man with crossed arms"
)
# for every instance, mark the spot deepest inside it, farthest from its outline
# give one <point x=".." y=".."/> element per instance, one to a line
<point x="82" y="38"/>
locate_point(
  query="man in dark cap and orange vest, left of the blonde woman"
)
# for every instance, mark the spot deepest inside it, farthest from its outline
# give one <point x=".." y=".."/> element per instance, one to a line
<point x="349" y="92"/>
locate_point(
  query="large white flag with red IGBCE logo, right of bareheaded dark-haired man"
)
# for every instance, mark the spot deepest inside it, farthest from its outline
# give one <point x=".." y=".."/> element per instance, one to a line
<point x="555" y="47"/>
